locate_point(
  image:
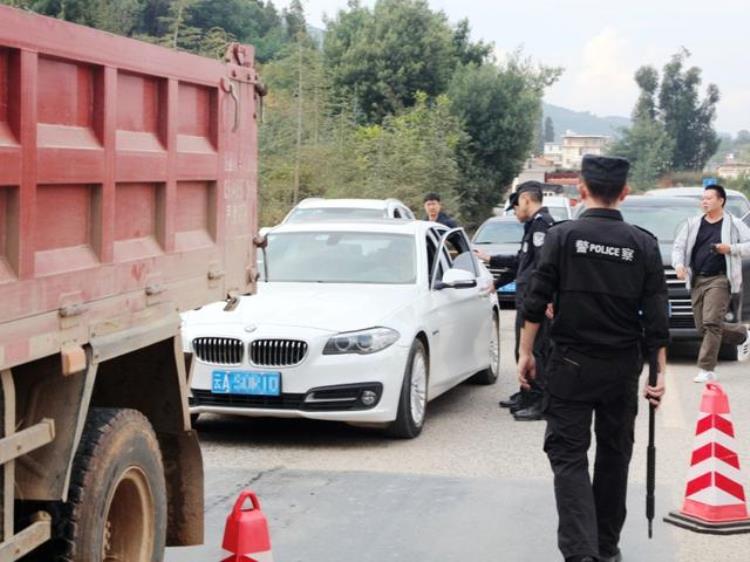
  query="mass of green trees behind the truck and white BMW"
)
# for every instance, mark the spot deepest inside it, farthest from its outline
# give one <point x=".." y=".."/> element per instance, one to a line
<point x="397" y="102"/>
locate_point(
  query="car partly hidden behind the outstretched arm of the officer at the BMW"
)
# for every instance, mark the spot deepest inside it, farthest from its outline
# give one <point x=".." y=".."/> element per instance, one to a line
<point x="501" y="235"/>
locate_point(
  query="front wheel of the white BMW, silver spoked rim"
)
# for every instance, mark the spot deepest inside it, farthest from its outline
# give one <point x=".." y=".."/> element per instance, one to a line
<point x="412" y="404"/>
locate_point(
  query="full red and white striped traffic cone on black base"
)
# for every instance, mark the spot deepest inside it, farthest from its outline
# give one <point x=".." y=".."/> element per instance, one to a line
<point x="715" y="500"/>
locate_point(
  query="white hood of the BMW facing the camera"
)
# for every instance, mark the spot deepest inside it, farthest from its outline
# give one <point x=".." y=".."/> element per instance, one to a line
<point x="327" y="307"/>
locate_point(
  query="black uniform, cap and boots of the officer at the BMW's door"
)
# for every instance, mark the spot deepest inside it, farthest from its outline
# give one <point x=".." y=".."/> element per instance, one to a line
<point x="522" y="265"/>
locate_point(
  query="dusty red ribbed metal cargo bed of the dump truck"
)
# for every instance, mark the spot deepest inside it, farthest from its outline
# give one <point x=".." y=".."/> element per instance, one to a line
<point x="127" y="180"/>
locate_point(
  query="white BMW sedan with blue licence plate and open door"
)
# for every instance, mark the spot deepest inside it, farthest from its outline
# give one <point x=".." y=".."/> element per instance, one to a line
<point x="362" y="323"/>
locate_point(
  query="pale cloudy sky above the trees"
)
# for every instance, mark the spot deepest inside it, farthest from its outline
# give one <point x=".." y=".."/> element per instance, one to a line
<point x="601" y="44"/>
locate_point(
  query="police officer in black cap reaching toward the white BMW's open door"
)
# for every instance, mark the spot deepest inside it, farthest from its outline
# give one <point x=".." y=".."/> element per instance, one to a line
<point x="526" y="201"/>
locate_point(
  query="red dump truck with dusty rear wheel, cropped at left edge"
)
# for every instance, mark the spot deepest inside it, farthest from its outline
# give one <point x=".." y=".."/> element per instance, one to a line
<point x="128" y="182"/>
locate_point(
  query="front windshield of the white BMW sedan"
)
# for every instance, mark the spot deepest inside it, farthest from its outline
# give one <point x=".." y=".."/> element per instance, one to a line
<point x="341" y="257"/>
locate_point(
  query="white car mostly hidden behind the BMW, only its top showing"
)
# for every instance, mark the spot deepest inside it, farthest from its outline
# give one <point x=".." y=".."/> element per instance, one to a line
<point x="348" y="209"/>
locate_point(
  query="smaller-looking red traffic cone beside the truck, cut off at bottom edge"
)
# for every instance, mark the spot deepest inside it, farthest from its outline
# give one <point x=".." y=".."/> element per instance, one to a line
<point x="246" y="532"/>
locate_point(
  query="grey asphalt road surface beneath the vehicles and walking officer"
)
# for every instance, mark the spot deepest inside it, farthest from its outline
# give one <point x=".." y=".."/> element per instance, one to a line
<point x="474" y="487"/>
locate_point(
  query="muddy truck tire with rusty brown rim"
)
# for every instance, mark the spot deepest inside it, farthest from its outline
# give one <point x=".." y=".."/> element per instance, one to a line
<point x="117" y="508"/>
